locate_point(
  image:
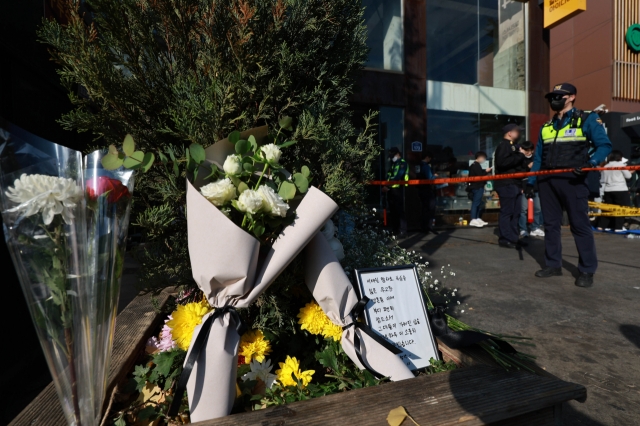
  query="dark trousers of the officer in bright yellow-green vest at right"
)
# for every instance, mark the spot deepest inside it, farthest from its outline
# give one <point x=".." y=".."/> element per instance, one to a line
<point x="572" y="193"/>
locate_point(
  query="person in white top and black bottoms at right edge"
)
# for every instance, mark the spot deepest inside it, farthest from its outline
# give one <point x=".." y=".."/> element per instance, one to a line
<point x="615" y="189"/>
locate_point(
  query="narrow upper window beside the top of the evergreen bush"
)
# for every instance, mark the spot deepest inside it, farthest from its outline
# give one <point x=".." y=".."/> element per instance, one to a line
<point x="384" y="34"/>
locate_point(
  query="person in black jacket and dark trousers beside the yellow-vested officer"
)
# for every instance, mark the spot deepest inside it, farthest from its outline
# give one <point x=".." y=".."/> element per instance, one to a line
<point x="509" y="159"/>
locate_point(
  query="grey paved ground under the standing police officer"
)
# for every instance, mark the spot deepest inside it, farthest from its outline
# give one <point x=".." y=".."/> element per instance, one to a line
<point x="588" y="336"/>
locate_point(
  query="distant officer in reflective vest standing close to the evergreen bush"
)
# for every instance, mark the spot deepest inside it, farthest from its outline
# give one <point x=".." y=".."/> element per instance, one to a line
<point x="395" y="194"/>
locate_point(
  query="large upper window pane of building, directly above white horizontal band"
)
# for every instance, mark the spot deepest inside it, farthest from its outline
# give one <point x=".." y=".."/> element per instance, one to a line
<point x="476" y="42"/>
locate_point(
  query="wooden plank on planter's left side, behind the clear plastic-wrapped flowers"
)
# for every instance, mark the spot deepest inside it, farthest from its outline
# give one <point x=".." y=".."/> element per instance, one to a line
<point x="135" y="324"/>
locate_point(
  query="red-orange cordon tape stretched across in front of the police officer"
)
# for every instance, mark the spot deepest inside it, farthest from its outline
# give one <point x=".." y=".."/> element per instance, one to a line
<point x="522" y="175"/>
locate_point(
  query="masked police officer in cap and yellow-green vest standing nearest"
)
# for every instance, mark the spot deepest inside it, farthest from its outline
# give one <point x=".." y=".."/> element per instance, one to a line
<point x="572" y="139"/>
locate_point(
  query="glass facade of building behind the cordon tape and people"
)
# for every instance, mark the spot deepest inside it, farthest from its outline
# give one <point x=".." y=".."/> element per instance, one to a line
<point x="476" y="81"/>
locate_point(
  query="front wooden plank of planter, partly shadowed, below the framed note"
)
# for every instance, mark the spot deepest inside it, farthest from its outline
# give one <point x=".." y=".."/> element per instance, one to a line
<point x="468" y="396"/>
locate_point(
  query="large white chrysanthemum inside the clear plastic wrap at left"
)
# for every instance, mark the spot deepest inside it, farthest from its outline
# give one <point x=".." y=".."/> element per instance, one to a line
<point x="50" y="195"/>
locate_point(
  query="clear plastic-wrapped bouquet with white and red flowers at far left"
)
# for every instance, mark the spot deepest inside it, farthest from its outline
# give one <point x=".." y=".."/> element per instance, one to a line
<point x="65" y="221"/>
